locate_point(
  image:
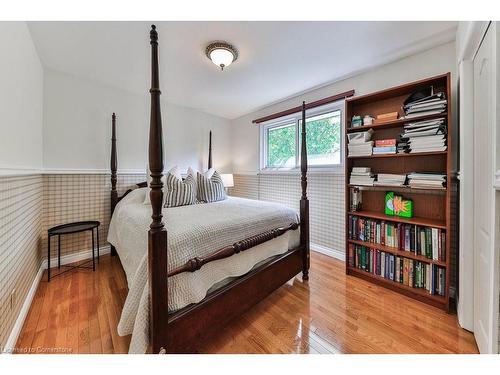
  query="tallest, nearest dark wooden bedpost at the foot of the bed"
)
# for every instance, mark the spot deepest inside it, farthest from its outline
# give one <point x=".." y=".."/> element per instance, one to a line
<point x="157" y="235"/>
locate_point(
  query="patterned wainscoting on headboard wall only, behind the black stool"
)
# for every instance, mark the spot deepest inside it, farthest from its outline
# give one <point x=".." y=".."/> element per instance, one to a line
<point x="77" y="197"/>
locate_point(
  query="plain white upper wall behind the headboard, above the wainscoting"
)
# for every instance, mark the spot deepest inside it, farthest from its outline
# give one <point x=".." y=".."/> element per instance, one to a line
<point x="77" y="128"/>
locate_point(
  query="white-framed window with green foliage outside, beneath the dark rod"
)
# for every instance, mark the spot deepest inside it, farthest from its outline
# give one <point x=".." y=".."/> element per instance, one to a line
<point x="281" y="139"/>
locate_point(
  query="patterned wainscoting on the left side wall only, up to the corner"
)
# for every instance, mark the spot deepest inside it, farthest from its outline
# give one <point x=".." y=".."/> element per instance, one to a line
<point x="20" y="228"/>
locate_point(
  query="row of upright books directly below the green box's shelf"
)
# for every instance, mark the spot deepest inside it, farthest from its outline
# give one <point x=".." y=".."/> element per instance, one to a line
<point x="419" y="240"/>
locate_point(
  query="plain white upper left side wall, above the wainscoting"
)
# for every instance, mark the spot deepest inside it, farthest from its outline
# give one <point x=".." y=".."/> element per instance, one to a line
<point x="21" y="97"/>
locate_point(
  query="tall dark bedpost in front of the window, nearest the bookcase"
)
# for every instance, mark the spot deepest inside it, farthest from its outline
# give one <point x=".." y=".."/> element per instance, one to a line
<point x="304" y="202"/>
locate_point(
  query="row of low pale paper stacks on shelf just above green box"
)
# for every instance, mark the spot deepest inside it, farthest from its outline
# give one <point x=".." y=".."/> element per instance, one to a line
<point x="363" y="176"/>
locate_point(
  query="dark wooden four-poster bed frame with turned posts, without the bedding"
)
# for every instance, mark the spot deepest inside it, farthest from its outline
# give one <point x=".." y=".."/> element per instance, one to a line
<point x="178" y="331"/>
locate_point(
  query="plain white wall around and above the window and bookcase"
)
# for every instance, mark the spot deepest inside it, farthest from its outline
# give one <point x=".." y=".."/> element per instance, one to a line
<point x="245" y="134"/>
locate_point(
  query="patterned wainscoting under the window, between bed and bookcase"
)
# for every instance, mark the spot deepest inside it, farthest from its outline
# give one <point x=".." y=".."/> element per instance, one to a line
<point x="326" y="201"/>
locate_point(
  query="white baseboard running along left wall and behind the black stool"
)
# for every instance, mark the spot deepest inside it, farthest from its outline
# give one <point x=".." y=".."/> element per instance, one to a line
<point x="66" y="259"/>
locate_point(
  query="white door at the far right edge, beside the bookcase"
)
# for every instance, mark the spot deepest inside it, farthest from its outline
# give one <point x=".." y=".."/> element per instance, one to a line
<point x="484" y="265"/>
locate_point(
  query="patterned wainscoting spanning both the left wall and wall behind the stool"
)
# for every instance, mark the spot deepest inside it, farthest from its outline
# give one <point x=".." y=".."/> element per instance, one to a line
<point x="29" y="205"/>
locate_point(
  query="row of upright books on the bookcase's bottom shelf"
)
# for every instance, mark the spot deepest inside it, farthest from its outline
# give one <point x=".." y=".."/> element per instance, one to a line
<point x="409" y="272"/>
